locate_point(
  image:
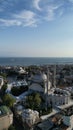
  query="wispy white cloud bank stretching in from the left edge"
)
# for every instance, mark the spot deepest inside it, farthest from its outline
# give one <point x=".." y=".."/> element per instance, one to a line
<point x="24" y="18"/>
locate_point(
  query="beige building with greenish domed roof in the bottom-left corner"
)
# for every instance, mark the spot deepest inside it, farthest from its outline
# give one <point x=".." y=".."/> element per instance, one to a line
<point x="6" y="118"/>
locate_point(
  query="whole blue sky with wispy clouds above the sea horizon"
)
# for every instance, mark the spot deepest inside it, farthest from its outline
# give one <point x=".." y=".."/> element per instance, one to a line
<point x="36" y="28"/>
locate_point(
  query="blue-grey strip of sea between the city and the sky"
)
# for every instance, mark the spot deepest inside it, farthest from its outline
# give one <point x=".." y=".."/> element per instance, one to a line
<point x="27" y="61"/>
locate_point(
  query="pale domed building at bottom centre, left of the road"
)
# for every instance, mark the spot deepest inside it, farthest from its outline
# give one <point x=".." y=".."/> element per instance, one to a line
<point x="28" y="116"/>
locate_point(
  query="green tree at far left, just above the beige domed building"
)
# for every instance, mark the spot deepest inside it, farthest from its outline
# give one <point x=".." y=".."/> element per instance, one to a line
<point x="8" y="100"/>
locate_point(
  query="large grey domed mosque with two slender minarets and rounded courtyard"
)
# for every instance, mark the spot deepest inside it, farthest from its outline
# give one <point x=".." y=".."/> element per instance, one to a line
<point x="42" y="84"/>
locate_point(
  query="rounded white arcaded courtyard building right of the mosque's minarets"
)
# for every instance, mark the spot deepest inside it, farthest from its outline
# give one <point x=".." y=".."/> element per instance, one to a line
<point x="58" y="97"/>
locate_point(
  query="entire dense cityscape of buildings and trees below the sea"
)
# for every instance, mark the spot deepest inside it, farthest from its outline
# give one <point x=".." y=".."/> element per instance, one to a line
<point x="36" y="97"/>
